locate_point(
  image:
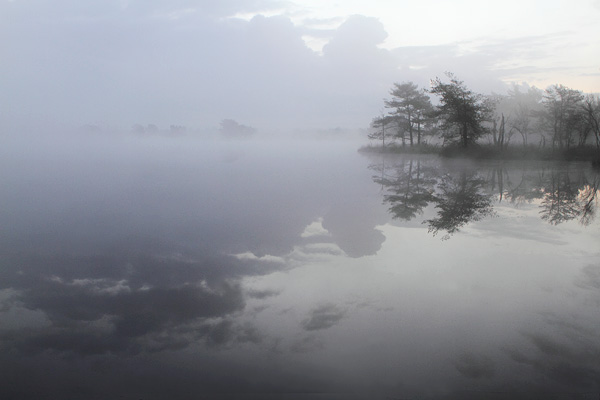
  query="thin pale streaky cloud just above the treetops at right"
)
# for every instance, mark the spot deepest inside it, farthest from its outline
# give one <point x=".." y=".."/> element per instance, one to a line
<point x="488" y="64"/>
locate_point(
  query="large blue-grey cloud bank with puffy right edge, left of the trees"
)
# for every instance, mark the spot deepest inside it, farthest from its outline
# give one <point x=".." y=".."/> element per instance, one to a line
<point x="184" y="64"/>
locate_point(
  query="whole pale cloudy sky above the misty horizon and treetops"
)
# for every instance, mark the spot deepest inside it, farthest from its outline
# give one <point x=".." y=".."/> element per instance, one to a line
<point x="275" y="65"/>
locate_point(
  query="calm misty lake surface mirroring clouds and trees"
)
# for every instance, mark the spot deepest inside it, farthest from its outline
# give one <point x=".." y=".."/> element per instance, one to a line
<point x="155" y="268"/>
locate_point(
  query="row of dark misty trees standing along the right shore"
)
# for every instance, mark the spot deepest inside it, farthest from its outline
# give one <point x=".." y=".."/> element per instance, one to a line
<point x="557" y="118"/>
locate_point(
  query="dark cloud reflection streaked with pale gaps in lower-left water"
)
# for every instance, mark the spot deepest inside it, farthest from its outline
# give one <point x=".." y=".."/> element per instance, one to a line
<point x="113" y="304"/>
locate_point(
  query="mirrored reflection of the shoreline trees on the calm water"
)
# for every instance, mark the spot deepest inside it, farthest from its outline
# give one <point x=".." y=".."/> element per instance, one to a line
<point x="462" y="194"/>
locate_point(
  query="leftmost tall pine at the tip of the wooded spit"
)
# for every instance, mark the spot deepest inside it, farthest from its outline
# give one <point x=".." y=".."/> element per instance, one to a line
<point x="410" y="108"/>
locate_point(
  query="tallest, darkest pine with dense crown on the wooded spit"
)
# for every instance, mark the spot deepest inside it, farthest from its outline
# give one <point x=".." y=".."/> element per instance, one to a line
<point x="461" y="111"/>
